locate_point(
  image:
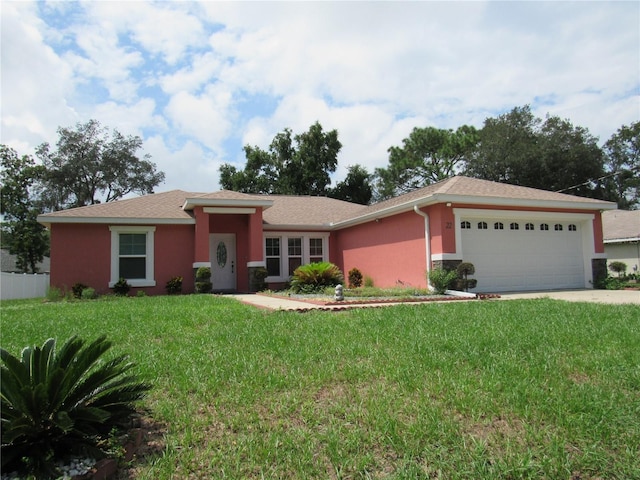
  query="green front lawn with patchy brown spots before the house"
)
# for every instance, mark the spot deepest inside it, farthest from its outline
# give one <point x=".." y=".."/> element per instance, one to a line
<point x="506" y="390"/>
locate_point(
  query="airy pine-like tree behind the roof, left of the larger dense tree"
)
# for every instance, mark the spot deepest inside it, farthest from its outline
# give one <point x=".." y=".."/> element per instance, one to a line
<point x="427" y="156"/>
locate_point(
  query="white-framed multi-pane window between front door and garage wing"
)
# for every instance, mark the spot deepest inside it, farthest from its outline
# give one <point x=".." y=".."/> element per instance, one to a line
<point x="283" y="253"/>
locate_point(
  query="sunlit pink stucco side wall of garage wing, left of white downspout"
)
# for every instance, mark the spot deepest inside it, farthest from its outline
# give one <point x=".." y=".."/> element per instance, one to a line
<point x="390" y="251"/>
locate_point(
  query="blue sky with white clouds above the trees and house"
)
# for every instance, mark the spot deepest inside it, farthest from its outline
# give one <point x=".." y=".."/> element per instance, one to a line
<point x="199" y="80"/>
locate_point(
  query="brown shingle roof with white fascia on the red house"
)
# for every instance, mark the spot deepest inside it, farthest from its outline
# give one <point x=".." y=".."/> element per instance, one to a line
<point x="282" y="211"/>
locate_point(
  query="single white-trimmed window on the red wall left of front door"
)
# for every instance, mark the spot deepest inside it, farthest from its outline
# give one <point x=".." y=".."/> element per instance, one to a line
<point x="132" y="255"/>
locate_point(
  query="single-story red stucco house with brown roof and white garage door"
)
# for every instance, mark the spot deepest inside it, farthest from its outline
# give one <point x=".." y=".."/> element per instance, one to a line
<point x="518" y="238"/>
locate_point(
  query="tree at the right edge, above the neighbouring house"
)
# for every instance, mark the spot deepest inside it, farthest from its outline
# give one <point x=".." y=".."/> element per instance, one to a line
<point x="622" y="166"/>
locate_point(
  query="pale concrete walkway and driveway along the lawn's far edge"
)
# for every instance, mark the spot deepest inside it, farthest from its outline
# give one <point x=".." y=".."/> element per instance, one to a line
<point x="598" y="296"/>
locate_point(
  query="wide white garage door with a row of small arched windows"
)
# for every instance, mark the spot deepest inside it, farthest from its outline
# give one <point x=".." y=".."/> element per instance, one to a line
<point x="513" y="255"/>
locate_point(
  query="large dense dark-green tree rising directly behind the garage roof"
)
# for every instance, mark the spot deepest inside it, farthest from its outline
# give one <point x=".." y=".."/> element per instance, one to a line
<point x="520" y="149"/>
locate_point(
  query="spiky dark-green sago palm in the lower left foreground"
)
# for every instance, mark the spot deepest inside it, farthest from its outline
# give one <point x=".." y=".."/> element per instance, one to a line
<point x="55" y="404"/>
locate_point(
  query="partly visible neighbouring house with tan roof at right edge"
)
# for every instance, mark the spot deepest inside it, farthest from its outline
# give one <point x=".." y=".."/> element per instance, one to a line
<point x="622" y="237"/>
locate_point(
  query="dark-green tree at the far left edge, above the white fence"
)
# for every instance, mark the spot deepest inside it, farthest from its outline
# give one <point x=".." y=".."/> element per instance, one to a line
<point x="21" y="232"/>
